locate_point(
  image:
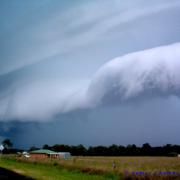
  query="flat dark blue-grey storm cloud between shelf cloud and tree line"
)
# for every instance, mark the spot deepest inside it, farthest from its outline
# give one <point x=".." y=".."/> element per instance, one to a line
<point x="155" y="121"/>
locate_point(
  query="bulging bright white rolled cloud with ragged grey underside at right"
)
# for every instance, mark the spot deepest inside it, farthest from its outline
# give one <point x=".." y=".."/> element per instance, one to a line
<point x="151" y="72"/>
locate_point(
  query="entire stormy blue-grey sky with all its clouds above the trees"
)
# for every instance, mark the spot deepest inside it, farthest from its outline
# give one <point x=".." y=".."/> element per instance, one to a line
<point x="92" y="72"/>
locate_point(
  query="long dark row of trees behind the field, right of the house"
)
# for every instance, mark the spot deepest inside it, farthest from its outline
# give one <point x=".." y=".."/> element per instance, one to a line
<point x="117" y="150"/>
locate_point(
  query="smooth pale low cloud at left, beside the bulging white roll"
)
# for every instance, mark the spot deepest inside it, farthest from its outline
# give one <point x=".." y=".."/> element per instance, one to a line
<point x="41" y="100"/>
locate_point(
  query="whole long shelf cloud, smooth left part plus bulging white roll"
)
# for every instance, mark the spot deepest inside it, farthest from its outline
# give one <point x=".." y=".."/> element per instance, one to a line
<point x="151" y="73"/>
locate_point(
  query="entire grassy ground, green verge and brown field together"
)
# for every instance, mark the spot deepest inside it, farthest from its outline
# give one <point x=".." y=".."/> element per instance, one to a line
<point x="95" y="167"/>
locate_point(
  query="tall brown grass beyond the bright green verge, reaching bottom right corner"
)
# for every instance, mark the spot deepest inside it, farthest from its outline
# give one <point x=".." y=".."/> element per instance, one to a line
<point x="151" y="168"/>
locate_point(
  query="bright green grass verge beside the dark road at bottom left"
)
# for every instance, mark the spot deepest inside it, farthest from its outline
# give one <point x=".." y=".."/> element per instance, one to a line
<point x="44" y="171"/>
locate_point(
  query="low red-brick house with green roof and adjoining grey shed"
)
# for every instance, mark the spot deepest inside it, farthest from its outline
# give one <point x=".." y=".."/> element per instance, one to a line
<point x="45" y="153"/>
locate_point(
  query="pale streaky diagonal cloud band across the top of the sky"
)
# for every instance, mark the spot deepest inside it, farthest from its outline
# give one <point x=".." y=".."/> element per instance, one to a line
<point x="65" y="31"/>
